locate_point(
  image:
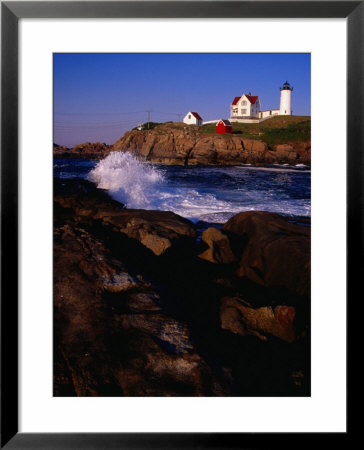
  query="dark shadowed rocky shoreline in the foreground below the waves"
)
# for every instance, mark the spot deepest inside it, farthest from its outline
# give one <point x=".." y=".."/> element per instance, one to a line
<point x="142" y="308"/>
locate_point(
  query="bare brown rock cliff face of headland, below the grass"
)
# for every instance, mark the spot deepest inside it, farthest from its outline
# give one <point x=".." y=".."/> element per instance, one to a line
<point x="176" y="144"/>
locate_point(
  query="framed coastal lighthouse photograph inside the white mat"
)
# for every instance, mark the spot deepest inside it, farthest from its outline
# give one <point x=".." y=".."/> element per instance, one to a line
<point x="181" y="224"/>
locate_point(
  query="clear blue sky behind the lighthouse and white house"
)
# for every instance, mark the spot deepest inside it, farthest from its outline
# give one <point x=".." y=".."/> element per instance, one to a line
<point x="100" y="96"/>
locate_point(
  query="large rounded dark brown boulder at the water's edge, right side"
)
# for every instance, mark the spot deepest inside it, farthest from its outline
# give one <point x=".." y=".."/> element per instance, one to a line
<point x="276" y="253"/>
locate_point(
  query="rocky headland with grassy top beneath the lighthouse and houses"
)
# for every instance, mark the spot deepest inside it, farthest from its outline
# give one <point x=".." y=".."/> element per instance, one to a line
<point x="279" y="140"/>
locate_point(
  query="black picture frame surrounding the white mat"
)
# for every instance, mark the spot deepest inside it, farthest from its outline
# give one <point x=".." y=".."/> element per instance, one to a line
<point x="11" y="12"/>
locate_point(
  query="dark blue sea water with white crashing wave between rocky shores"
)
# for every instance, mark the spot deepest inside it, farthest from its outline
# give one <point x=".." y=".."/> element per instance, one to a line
<point x="199" y="193"/>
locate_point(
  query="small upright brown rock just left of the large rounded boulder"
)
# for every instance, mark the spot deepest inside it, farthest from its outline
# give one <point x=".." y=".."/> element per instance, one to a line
<point x="219" y="251"/>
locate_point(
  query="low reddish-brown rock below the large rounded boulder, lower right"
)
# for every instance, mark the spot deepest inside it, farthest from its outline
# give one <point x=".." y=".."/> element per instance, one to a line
<point x="239" y="318"/>
